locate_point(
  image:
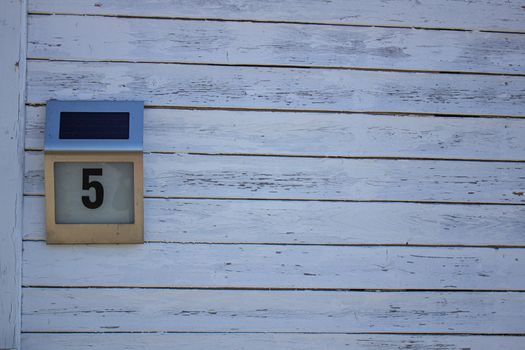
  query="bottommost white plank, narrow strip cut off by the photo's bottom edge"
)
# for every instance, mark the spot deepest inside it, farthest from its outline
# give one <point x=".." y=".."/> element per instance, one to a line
<point x="258" y="341"/>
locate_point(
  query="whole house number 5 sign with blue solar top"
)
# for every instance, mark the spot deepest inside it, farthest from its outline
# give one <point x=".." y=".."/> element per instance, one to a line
<point x="93" y="158"/>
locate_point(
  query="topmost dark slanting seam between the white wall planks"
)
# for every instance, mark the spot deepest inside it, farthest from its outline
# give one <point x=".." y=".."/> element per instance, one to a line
<point x="268" y="21"/>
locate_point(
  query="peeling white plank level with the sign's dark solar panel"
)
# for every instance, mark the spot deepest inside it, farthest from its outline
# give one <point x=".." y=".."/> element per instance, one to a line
<point x="320" y="134"/>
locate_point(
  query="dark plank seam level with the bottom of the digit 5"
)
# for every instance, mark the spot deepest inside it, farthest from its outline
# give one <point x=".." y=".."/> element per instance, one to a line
<point x="28" y="194"/>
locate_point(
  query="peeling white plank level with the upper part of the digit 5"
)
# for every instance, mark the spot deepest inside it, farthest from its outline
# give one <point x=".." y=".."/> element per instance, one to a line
<point x="185" y="175"/>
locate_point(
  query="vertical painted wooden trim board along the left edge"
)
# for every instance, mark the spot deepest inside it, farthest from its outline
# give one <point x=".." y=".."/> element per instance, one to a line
<point x="12" y="97"/>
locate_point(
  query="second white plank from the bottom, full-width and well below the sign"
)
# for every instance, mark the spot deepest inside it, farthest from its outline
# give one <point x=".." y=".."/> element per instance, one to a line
<point x="287" y="311"/>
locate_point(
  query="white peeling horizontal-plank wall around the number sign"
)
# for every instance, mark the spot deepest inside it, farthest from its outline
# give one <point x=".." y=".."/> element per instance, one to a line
<point x="318" y="175"/>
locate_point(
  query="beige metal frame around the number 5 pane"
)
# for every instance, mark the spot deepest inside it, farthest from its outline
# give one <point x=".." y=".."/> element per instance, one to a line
<point x="94" y="233"/>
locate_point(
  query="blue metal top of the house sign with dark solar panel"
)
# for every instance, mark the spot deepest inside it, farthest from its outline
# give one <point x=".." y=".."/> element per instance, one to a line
<point x="85" y="126"/>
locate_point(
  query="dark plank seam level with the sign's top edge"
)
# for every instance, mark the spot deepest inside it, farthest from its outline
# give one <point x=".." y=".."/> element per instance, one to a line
<point x="328" y="111"/>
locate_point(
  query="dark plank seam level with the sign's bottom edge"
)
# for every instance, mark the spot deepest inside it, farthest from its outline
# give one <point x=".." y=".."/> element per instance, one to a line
<point x="277" y="244"/>
